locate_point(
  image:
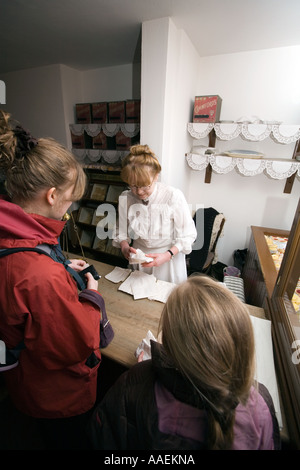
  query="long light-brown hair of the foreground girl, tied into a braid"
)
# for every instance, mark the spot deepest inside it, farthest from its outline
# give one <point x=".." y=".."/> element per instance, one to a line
<point x="207" y="332"/>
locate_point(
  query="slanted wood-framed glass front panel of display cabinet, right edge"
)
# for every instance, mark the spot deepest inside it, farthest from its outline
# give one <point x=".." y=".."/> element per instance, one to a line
<point x="284" y="309"/>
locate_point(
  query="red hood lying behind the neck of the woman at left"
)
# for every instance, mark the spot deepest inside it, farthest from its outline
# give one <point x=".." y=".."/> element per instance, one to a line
<point x="20" y="229"/>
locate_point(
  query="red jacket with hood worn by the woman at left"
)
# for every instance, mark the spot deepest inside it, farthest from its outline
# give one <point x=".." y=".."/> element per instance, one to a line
<point x="39" y="303"/>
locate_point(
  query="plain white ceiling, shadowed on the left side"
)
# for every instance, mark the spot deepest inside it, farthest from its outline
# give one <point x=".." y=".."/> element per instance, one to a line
<point x="87" y="34"/>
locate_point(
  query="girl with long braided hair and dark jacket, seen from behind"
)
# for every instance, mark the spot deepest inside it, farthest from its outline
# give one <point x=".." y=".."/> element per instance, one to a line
<point x="198" y="389"/>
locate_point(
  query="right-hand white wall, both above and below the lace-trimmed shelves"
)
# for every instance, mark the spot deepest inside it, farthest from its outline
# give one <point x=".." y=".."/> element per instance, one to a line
<point x="262" y="83"/>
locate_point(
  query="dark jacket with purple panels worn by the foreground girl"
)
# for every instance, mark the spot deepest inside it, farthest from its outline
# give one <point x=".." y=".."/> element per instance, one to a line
<point x="153" y="407"/>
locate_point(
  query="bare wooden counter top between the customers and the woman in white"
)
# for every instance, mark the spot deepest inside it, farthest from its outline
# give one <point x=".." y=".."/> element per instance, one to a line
<point x="131" y="319"/>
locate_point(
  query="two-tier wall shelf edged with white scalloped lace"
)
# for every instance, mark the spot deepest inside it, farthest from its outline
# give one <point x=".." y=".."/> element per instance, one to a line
<point x="248" y="165"/>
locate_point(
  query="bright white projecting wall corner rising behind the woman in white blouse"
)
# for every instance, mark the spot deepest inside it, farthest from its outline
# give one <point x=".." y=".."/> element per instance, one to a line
<point x="169" y="77"/>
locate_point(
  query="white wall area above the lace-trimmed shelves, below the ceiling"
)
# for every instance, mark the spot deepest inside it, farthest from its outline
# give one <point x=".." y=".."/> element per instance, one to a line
<point x="263" y="83"/>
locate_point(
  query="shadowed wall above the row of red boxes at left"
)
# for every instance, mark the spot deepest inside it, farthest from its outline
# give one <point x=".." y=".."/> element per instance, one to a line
<point x="43" y="99"/>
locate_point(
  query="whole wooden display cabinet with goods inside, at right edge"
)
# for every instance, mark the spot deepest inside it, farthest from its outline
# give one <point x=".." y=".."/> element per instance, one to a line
<point x="277" y="290"/>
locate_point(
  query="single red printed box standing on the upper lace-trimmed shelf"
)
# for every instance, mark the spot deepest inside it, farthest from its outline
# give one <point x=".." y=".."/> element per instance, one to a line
<point x="207" y="108"/>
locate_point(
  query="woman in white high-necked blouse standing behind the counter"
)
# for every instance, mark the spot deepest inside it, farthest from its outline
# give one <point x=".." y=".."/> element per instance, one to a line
<point x="154" y="217"/>
